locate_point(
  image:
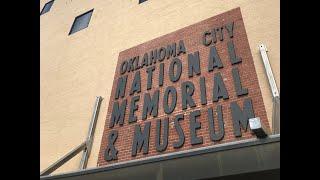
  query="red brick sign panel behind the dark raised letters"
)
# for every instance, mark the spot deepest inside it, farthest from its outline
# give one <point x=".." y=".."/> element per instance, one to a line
<point x="192" y="37"/>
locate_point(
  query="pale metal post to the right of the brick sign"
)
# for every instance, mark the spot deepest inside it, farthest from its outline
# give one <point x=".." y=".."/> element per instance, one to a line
<point x="274" y="90"/>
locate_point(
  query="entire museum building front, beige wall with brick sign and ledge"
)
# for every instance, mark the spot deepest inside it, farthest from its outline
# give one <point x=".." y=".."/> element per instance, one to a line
<point x="191" y="70"/>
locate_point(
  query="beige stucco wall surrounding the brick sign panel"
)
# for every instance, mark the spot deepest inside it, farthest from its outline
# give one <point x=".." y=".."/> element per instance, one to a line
<point x="74" y="69"/>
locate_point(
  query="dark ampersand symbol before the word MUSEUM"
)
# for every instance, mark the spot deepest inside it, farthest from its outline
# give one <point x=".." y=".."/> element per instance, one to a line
<point x="111" y="152"/>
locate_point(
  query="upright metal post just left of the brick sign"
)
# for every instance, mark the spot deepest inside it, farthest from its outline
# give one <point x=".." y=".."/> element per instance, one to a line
<point x="86" y="152"/>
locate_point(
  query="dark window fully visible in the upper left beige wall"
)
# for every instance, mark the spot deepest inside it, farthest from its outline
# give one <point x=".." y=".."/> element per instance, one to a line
<point x="81" y="22"/>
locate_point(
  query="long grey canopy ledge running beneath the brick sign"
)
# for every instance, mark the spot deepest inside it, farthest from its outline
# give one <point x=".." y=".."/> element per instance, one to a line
<point x="252" y="155"/>
